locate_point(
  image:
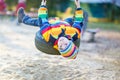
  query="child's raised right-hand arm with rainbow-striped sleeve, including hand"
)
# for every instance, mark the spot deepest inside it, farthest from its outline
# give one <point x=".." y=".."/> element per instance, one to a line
<point x="78" y="18"/>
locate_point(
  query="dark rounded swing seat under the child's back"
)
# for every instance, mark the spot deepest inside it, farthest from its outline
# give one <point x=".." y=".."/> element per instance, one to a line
<point x="47" y="48"/>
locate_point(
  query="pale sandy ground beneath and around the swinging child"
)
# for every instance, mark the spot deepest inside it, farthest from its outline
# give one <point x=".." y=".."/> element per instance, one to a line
<point x="20" y="60"/>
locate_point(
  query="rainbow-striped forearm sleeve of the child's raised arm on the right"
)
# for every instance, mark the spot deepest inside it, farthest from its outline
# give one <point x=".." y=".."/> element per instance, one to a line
<point x="78" y="15"/>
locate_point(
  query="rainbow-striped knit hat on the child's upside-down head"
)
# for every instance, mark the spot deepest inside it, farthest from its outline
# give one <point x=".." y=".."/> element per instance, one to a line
<point x="70" y="51"/>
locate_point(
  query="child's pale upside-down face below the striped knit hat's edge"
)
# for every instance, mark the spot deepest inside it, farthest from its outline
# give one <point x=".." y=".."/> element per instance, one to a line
<point x="63" y="42"/>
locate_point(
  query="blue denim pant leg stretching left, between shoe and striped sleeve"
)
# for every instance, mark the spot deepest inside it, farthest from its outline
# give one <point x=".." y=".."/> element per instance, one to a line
<point x="31" y="21"/>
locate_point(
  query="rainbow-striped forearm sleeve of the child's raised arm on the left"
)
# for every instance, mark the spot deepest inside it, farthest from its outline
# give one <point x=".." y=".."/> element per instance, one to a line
<point x="42" y="12"/>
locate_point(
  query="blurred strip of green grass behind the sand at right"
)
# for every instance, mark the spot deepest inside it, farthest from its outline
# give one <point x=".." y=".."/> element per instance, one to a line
<point x="105" y="26"/>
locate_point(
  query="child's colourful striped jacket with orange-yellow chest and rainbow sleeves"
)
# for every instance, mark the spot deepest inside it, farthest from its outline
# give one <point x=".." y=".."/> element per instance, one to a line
<point x="53" y="29"/>
